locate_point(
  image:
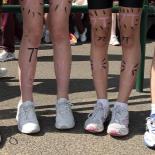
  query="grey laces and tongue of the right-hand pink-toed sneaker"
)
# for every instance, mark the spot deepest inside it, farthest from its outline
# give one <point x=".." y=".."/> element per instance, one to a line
<point x="117" y="113"/>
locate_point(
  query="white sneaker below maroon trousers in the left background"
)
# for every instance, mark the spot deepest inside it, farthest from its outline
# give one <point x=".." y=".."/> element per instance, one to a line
<point x="5" y="56"/>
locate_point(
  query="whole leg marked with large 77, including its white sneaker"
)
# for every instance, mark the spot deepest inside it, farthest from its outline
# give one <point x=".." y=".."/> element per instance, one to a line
<point x="32" y="12"/>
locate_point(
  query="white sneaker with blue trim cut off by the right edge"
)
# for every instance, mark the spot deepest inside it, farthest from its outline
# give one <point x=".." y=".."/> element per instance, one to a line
<point x="149" y="136"/>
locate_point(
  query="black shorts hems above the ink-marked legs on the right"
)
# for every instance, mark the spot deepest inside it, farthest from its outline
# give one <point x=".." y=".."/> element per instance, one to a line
<point x="104" y="4"/>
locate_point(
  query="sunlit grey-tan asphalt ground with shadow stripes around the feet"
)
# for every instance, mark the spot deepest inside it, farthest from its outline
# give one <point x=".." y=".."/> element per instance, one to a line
<point x="51" y="141"/>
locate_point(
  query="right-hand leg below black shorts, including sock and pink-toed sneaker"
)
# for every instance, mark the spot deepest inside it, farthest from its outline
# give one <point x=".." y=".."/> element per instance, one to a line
<point x="129" y="26"/>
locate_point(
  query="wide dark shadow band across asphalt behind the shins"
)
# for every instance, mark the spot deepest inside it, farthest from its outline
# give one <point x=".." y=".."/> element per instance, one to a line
<point x="48" y="86"/>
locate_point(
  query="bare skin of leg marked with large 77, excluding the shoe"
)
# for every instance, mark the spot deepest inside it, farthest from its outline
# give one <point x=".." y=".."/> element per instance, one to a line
<point x="32" y="29"/>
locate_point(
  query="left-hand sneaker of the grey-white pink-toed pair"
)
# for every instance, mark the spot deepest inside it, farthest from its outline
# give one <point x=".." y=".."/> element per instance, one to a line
<point x="95" y="120"/>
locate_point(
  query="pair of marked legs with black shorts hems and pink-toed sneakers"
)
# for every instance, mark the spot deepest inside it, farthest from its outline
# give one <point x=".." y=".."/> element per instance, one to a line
<point x="129" y="19"/>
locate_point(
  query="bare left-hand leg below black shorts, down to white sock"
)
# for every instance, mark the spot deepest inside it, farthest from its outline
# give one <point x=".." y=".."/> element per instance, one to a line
<point x="101" y="25"/>
